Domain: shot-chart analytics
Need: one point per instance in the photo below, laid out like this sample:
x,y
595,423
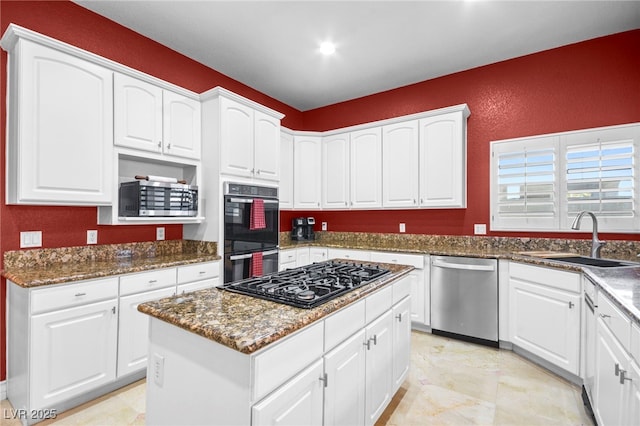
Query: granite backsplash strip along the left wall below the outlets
x,y
106,252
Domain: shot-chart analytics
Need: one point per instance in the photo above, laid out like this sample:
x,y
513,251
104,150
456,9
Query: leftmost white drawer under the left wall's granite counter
x,y
79,293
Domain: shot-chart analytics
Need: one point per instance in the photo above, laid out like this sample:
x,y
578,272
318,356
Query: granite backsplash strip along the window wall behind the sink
x,y
614,249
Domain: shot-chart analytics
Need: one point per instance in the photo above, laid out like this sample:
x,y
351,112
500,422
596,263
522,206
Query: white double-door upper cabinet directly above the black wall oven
x,y
249,141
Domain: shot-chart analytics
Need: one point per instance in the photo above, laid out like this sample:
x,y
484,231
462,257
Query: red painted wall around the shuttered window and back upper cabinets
x,y
589,84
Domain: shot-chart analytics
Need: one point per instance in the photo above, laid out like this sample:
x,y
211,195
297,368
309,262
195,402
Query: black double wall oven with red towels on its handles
x,y
251,227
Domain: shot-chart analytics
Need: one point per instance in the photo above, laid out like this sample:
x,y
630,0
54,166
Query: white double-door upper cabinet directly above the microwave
x,y
152,119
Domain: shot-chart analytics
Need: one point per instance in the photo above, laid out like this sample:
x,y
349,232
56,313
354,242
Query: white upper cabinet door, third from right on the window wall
x,y
366,168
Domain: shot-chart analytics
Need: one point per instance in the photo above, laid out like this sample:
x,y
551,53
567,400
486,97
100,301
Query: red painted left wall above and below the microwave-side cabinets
x,y
68,22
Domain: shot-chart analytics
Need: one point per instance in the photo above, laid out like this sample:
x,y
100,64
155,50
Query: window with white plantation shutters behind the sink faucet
x,y
542,183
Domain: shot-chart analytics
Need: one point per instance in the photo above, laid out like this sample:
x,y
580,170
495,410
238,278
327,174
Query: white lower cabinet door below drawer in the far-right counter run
x,y
609,393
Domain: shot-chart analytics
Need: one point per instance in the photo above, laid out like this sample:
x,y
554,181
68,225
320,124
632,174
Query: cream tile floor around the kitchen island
x,y
450,383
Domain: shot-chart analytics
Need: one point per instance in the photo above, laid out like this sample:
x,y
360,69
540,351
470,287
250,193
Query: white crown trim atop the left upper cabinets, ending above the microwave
x,y
15,32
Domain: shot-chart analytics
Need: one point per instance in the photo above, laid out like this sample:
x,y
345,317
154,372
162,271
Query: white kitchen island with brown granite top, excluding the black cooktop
x,y
218,357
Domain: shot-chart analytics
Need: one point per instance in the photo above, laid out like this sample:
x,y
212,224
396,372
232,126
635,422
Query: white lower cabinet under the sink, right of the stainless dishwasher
x,y
544,313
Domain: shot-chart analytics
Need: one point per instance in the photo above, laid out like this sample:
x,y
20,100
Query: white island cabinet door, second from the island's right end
x,y
379,366
